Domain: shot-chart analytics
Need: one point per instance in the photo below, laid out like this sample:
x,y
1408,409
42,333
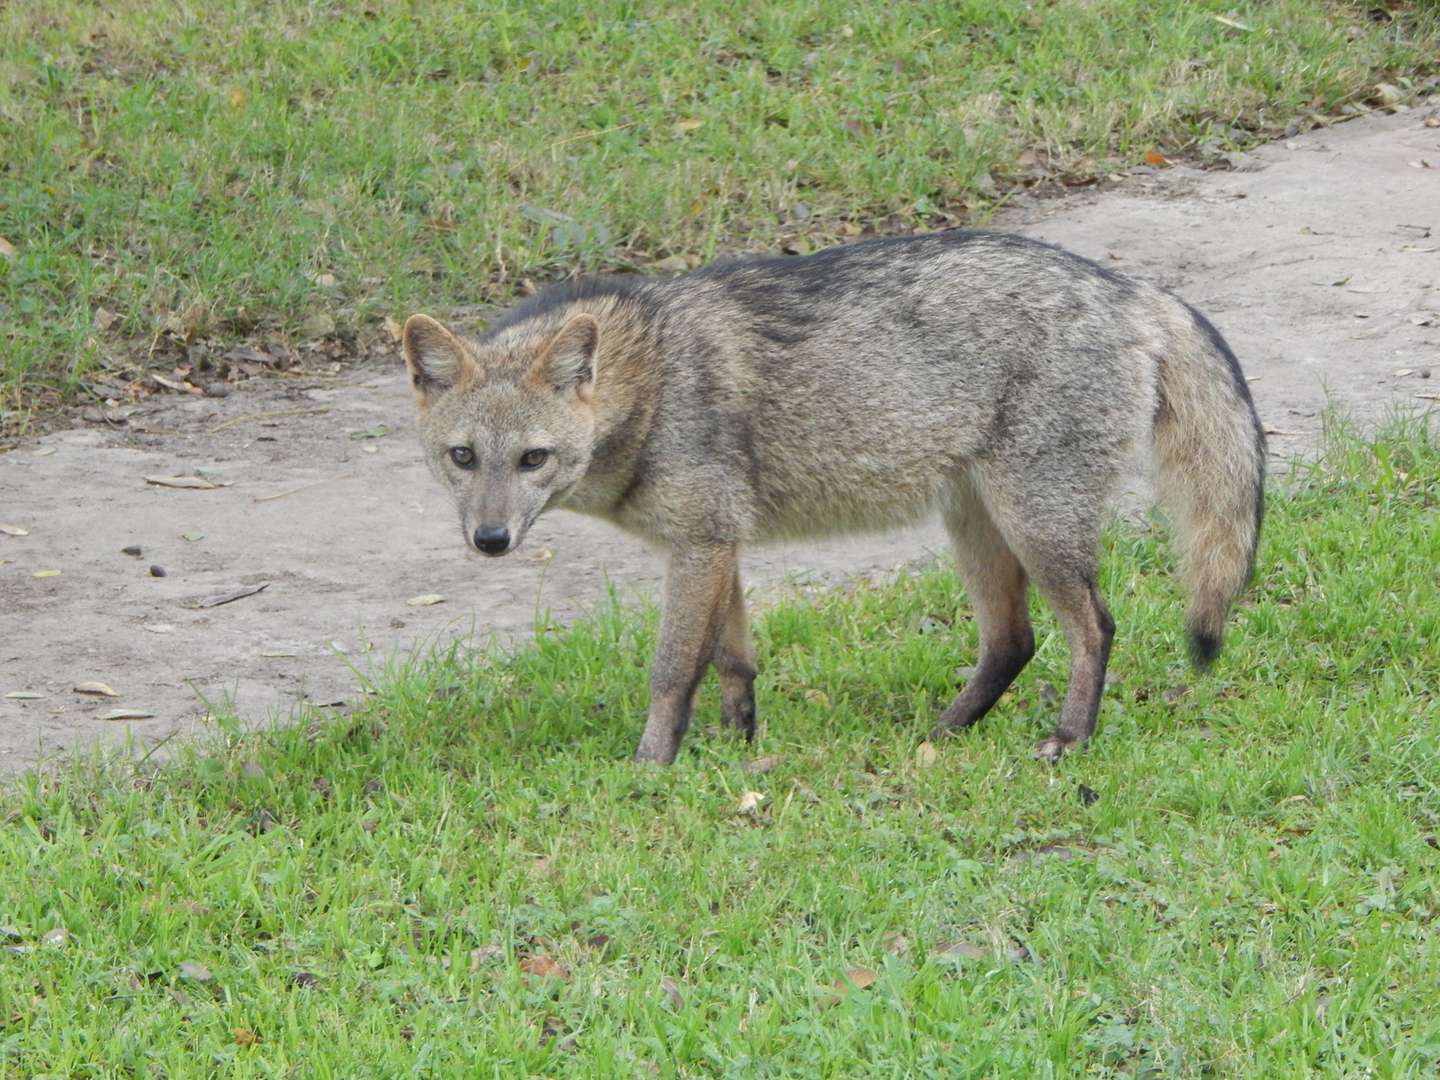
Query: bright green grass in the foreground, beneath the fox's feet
x,y
1255,891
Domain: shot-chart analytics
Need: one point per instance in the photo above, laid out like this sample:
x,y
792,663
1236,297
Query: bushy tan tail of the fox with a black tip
x,y
1210,470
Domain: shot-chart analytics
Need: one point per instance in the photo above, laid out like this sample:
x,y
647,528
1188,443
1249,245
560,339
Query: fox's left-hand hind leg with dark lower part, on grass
x,y
996,582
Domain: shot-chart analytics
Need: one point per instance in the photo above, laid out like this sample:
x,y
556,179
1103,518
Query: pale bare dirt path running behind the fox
x,y
1320,260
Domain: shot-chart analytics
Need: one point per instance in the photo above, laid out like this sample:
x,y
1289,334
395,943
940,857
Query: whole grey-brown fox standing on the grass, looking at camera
x,y
993,379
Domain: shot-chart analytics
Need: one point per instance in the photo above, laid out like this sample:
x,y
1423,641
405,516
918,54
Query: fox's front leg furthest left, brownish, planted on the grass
x,y
699,588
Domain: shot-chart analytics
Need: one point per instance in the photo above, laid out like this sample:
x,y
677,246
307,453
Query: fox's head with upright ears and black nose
x,y
508,428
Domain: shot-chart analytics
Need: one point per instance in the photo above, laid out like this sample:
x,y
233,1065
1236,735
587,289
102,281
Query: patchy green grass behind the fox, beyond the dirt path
x,y
195,175
